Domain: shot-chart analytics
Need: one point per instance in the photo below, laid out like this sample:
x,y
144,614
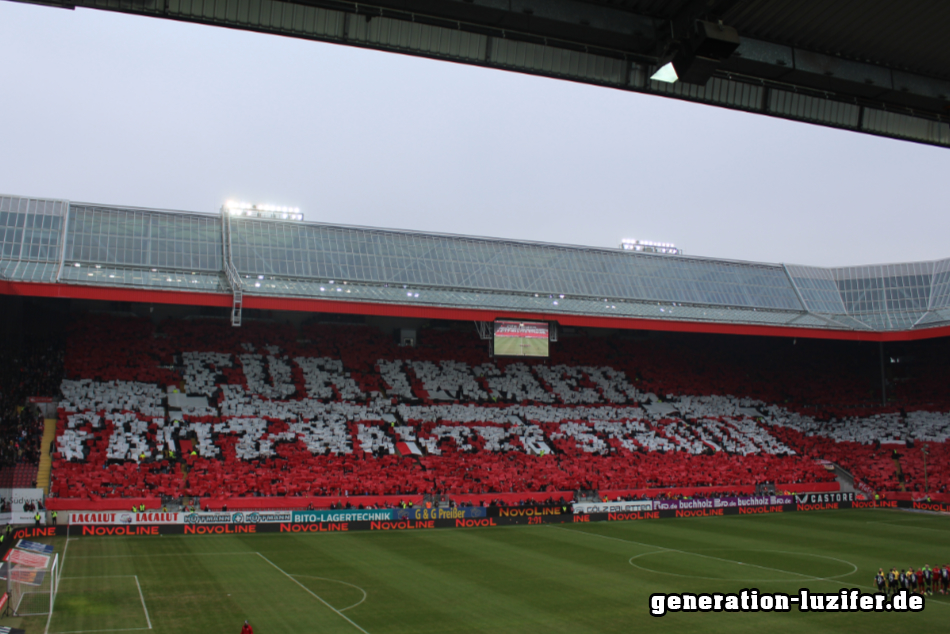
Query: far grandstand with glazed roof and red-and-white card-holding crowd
x,y
291,365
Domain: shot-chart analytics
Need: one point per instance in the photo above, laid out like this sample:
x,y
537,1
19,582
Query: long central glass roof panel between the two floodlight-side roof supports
x,y
263,248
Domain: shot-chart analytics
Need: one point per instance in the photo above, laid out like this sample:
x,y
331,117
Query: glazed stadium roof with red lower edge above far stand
x,y
63,249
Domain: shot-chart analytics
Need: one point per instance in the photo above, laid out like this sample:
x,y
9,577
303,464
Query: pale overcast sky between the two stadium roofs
x,y
109,108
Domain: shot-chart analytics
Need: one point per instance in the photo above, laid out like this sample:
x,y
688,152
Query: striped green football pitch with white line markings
x,y
571,578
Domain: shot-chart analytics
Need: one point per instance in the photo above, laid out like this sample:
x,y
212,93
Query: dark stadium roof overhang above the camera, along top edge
x,y
880,67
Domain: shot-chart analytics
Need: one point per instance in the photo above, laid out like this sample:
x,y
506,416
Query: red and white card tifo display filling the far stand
x,y
334,412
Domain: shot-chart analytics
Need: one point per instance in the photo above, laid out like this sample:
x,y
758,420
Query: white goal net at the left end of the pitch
x,y
32,581
